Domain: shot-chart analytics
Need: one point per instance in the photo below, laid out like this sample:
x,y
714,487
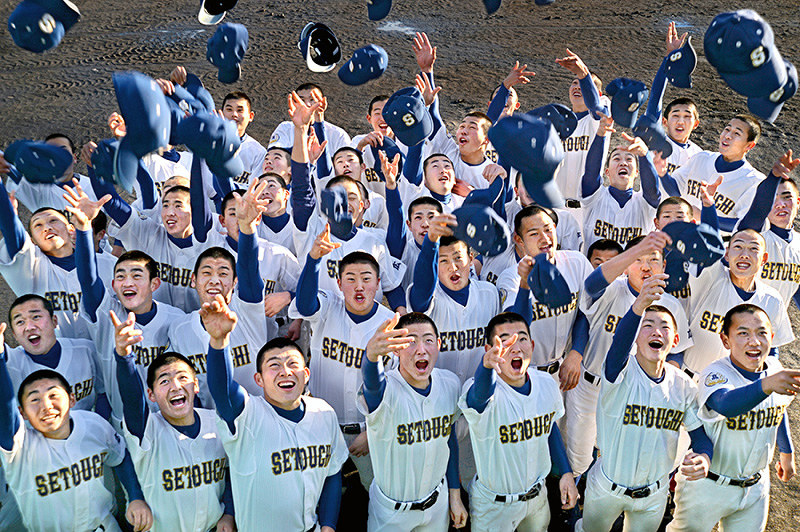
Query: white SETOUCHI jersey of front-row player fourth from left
x,y
408,434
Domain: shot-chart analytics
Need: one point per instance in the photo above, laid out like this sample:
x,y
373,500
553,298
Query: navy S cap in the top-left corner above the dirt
x,y
39,25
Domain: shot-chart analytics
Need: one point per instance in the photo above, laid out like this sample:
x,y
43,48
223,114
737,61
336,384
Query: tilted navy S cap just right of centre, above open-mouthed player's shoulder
x,y
482,228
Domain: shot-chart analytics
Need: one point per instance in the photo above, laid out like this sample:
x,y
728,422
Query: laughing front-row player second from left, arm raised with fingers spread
x,y
176,451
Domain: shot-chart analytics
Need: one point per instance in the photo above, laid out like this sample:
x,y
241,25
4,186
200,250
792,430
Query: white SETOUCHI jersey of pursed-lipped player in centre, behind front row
x,y
337,348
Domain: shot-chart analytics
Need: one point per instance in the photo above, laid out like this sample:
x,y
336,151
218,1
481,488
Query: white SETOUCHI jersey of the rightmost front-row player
x,y
743,445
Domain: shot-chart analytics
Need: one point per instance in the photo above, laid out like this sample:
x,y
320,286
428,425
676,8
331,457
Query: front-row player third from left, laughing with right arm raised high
x,y
281,444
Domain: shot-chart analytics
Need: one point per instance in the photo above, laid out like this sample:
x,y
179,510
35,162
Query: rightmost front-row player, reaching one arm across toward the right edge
x,y
743,401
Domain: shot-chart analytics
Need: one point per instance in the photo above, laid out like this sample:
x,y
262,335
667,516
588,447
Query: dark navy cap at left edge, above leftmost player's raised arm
x,y
38,161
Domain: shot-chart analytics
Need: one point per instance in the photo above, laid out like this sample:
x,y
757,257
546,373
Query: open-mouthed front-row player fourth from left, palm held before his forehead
x,y
410,412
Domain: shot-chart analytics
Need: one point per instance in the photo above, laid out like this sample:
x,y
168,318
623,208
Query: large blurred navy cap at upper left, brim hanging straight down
x,y
145,111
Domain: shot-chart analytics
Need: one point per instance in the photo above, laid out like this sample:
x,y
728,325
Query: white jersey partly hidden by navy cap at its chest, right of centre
x,y
551,327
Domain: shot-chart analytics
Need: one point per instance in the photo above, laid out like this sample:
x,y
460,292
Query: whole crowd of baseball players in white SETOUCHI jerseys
x,y
163,338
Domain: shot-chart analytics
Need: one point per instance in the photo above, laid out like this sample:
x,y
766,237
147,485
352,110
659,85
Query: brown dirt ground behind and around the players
x,y
69,89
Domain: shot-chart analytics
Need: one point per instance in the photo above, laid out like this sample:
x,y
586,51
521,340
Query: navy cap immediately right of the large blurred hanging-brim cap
x,y
215,140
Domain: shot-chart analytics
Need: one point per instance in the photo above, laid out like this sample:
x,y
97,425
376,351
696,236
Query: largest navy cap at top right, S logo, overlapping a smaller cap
x,y
741,46
